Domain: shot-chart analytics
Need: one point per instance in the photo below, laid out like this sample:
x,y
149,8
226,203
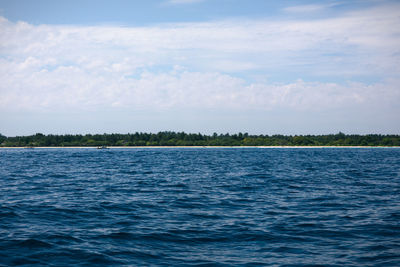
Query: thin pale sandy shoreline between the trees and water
x,y
133,147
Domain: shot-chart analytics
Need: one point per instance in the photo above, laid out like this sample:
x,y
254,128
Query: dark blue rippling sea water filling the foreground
x,y
188,206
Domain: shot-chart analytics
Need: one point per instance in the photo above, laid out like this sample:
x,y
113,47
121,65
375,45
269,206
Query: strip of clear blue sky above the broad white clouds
x,y
138,13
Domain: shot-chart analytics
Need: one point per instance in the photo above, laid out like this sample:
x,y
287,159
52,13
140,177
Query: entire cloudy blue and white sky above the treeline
x,y
225,66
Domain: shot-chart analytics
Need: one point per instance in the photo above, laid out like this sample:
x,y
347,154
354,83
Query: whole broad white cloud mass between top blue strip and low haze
x,y
62,67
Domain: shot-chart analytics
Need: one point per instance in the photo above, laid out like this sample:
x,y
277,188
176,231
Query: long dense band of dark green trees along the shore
x,y
185,139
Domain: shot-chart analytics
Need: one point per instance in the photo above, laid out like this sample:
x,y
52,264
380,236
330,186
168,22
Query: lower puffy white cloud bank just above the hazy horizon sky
x,y
73,87
